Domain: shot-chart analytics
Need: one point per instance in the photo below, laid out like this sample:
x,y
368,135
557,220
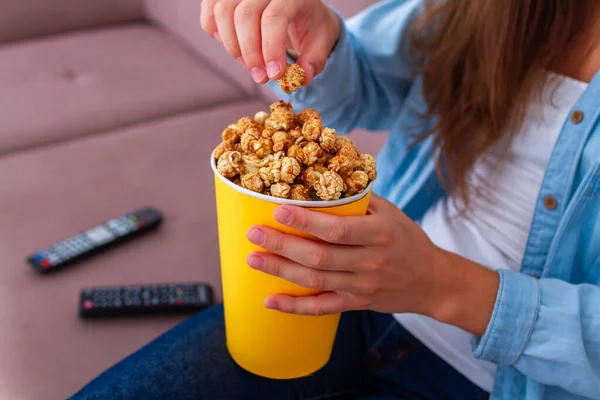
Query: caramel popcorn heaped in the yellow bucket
x,y
292,156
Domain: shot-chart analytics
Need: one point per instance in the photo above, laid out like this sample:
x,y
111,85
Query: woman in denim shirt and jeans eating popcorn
x,y
479,273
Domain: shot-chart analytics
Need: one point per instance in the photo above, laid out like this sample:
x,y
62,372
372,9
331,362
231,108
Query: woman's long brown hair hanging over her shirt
x,y
482,61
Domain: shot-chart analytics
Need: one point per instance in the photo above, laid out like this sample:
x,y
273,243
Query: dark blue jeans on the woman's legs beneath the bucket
x,y
374,357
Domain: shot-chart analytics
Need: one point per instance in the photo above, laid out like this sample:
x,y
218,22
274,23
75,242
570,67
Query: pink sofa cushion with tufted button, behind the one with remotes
x,y
58,88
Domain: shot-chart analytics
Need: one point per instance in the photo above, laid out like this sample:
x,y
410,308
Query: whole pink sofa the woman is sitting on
x,y
105,106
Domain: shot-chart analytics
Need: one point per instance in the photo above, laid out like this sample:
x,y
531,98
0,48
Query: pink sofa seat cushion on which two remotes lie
x,y
61,190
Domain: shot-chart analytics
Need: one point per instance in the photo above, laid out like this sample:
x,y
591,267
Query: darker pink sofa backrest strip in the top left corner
x,y
23,19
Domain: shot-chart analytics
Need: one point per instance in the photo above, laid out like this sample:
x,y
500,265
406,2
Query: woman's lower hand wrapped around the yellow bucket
x,y
382,261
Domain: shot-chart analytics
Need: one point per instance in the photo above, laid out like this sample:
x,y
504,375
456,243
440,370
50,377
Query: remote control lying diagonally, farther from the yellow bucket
x,y
95,239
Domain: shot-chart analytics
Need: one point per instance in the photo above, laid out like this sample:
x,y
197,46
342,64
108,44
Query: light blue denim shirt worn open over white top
x,y
544,332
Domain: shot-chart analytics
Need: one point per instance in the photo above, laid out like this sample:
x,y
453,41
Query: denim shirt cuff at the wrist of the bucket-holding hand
x,y
514,316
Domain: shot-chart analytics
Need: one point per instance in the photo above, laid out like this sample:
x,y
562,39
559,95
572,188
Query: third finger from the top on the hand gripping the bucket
x,y
299,274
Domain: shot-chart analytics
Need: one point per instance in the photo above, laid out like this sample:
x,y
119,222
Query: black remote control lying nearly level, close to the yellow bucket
x,y
144,299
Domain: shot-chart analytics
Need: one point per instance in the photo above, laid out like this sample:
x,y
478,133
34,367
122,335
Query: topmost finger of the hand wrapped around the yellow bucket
x,y
365,230
